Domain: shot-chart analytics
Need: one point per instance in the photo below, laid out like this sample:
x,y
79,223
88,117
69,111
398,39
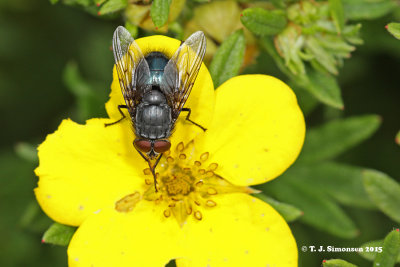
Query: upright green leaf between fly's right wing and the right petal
x,y
228,58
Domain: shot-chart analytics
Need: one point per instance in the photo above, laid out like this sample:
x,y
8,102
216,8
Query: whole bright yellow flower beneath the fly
x,y
92,177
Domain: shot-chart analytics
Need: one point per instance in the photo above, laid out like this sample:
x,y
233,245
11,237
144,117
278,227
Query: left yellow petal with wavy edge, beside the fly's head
x,y
86,167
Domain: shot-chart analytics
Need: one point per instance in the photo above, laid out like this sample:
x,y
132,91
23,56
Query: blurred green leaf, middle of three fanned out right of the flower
x,y
342,182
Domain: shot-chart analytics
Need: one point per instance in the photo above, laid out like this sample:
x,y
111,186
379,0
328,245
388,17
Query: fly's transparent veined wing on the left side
x,y
133,70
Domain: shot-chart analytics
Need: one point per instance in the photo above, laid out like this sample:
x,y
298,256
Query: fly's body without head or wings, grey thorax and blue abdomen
x,y
153,115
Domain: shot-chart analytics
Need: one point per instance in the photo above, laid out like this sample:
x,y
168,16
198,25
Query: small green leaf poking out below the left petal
x,y
59,234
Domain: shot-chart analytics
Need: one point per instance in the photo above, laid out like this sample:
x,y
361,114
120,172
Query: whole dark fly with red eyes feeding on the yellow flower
x,y
155,89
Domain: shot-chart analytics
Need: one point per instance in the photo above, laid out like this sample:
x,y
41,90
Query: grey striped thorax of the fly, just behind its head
x,y
153,121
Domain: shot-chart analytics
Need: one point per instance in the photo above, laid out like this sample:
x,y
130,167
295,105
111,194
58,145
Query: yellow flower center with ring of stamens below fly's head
x,y
186,184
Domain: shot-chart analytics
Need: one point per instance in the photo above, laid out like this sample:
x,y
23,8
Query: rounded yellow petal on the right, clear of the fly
x,y
257,131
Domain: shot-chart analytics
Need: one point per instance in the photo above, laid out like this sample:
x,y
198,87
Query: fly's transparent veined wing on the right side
x,y
181,71
